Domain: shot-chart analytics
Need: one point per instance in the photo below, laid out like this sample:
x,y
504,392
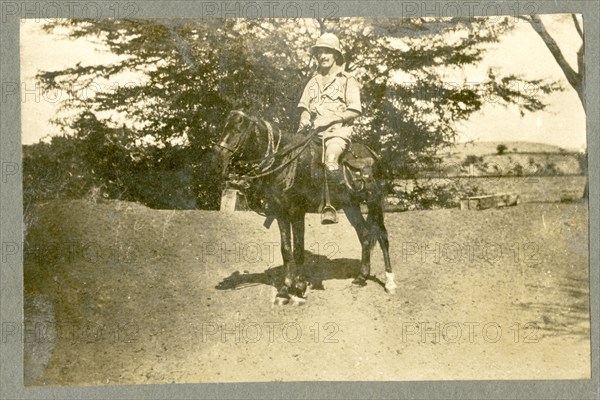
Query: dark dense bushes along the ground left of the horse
x,y
96,164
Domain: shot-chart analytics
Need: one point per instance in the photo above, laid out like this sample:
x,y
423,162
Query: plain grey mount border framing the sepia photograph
x,y
11,207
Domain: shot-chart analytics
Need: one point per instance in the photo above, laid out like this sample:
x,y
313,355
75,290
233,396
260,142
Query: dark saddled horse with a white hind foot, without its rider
x,y
281,174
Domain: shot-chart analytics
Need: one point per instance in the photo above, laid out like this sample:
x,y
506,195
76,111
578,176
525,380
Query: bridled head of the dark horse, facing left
x,y
238,129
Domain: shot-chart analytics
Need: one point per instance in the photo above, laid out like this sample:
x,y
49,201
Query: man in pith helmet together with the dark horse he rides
x,y
284,176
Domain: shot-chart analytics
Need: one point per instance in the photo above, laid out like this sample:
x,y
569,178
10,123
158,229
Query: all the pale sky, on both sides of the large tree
x,y
520,52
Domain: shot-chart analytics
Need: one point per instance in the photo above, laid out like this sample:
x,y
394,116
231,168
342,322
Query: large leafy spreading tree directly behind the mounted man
x,y
193,72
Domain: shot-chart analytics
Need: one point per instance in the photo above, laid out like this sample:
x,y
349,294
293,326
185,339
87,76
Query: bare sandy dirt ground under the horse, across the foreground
x,y
117,293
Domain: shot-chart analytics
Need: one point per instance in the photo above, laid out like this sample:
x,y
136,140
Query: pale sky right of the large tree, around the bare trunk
x,y
524,52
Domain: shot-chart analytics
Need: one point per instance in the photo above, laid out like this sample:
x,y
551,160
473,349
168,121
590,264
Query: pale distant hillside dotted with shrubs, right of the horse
x,y
519,158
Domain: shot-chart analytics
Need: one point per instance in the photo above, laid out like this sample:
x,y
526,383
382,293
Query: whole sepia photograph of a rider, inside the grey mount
x,y
220,200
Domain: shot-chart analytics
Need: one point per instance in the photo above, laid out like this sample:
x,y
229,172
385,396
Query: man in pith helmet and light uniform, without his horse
x,y
330,102
